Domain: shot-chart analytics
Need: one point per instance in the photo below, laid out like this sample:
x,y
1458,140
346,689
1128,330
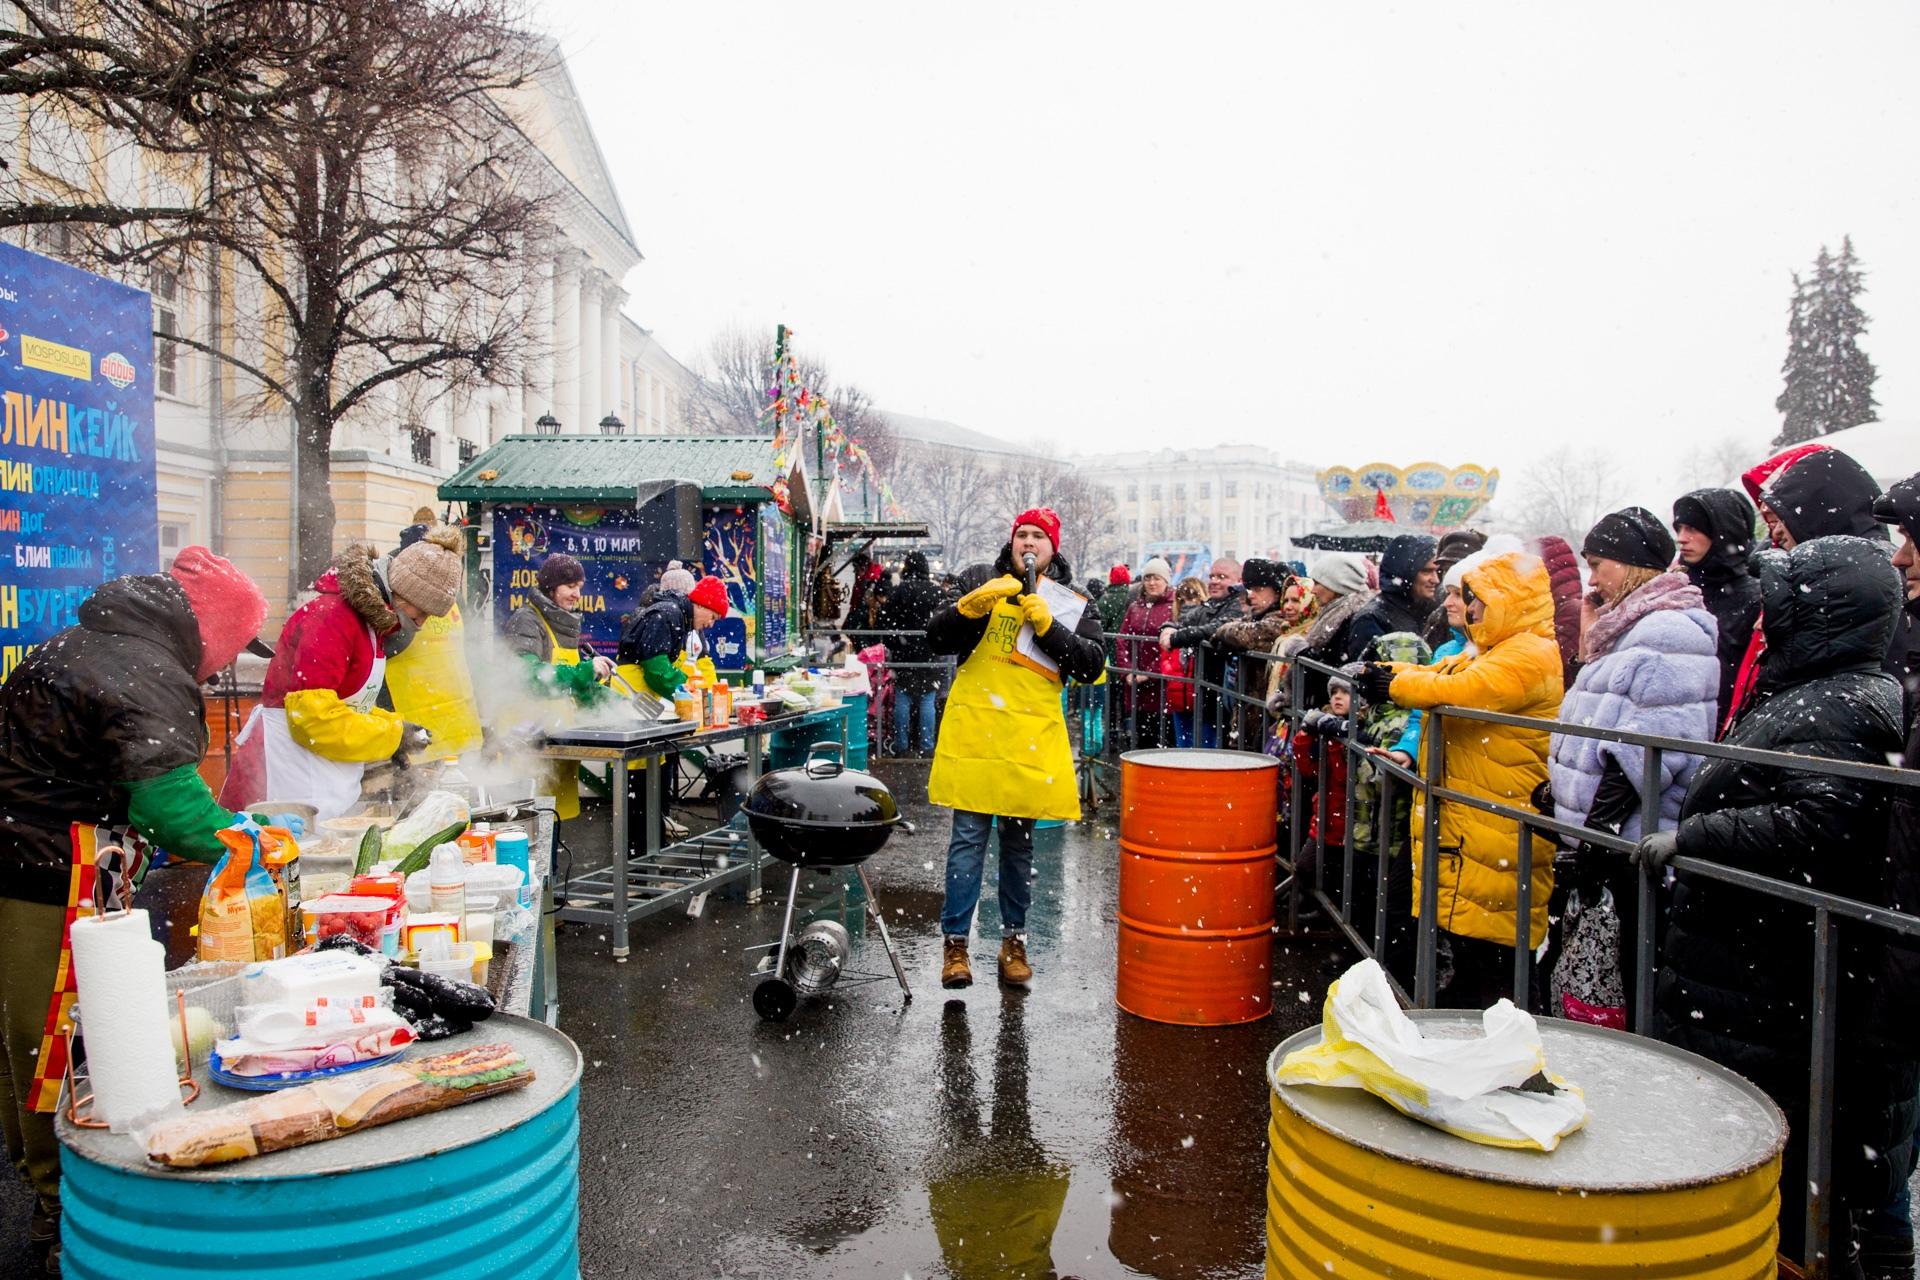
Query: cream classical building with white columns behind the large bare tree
x,y
224,473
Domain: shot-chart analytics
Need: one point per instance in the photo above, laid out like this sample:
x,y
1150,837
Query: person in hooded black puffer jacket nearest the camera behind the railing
x,y
1737,976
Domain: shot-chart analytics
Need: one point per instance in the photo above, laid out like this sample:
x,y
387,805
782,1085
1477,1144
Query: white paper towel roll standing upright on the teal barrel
x,y
122,978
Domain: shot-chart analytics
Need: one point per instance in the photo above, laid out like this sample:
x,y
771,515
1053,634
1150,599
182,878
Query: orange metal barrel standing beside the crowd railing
x,y
1197,841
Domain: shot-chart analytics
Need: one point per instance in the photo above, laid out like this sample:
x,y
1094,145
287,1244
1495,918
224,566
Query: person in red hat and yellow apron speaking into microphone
x,y
1003,755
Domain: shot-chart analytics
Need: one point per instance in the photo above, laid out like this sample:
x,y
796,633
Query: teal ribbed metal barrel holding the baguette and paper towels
x,y
491,1189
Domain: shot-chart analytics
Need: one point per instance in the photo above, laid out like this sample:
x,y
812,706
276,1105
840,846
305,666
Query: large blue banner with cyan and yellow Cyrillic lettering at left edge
x,y
76,444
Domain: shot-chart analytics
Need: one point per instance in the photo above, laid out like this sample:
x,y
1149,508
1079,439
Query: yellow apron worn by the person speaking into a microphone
x,y
1003,744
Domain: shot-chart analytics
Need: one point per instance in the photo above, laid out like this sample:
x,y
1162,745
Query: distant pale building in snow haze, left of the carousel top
x,y
1237,500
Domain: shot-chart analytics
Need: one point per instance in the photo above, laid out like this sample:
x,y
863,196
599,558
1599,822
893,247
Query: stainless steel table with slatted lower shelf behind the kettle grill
x,y
656,880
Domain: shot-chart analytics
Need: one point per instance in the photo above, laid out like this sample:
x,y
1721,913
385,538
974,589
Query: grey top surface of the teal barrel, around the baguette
x,y
554,1058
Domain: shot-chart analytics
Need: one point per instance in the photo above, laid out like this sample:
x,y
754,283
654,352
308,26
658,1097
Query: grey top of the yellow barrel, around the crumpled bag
x,y
1660,1118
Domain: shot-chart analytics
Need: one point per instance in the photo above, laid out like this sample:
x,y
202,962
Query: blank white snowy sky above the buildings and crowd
x,y
1347,231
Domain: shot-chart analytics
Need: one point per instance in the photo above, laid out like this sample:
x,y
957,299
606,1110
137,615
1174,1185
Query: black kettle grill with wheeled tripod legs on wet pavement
x,y
819,817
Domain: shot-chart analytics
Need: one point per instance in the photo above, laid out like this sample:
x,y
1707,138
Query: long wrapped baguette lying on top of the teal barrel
x,y
337,1108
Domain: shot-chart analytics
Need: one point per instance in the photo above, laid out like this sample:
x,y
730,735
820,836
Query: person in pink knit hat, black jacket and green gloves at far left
x,y
103,730
